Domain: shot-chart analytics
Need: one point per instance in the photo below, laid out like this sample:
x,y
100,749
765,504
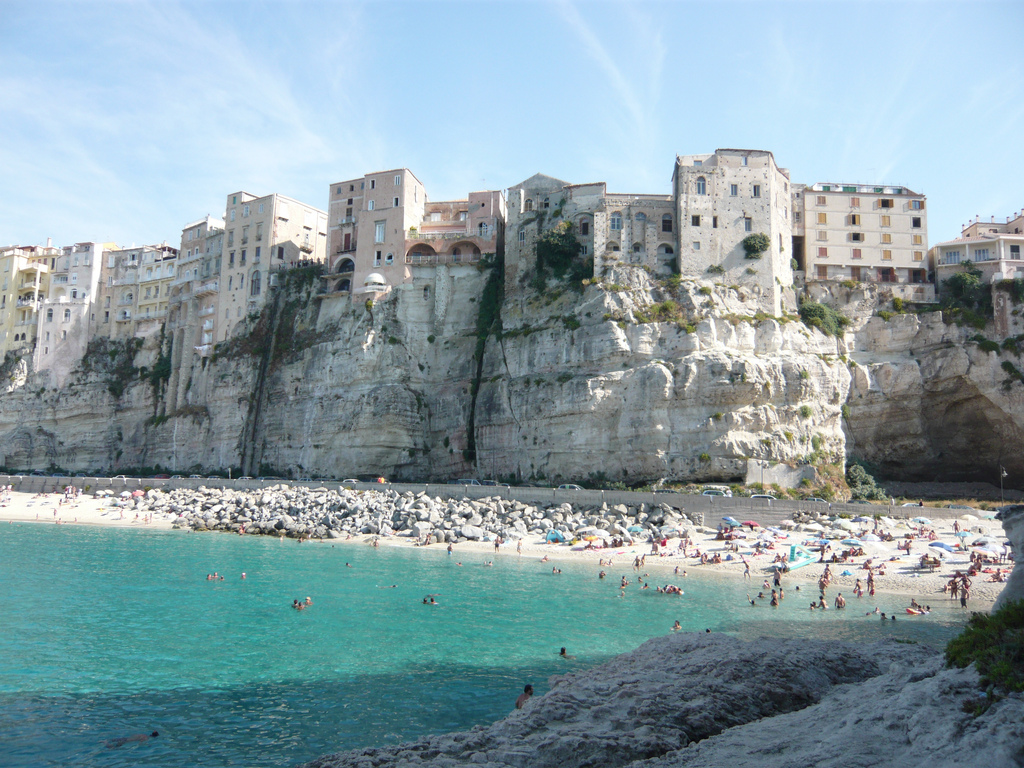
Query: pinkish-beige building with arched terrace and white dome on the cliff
x,y
382,225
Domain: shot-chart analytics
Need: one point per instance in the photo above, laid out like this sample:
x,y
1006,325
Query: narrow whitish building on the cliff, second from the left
x,y
68,314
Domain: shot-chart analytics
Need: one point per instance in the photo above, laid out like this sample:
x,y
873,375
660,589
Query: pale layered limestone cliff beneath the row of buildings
x,y
629,379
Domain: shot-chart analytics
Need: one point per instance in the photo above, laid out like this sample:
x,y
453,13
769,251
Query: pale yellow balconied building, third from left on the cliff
x,y
135,291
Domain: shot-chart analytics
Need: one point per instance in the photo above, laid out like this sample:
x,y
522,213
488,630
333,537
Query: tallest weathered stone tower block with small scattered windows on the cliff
x,y
721,200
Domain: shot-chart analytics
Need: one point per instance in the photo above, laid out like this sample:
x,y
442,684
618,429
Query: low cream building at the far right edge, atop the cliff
x,y
995,247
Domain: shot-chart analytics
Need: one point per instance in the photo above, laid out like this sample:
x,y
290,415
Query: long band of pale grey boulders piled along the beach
x,y
283,510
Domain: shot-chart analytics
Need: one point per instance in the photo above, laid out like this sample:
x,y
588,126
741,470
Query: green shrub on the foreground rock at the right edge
x,y
995,645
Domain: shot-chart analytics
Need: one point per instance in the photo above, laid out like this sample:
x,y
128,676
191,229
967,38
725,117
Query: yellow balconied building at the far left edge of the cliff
x,y
25,277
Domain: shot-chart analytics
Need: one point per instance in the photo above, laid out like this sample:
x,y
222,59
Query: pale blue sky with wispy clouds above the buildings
x,y
124,121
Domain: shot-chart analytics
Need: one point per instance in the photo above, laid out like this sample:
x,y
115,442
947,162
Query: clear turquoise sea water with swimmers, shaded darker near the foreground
x,y
109,633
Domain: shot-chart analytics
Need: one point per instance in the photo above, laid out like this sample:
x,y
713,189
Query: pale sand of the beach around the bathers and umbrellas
x,y
903,574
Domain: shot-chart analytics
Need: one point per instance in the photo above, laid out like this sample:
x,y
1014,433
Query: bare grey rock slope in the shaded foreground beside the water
x,y
697,700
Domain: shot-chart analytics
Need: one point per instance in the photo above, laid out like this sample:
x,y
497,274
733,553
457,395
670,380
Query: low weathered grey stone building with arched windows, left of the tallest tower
x,y
612,229
